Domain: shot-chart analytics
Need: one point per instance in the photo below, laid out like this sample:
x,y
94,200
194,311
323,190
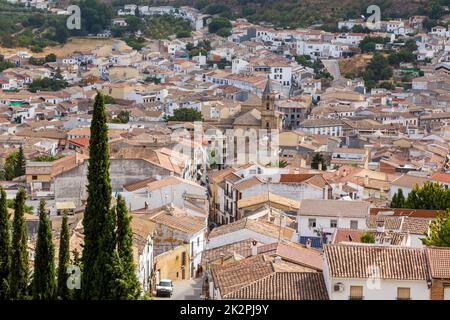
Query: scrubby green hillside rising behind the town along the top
x,y
298,13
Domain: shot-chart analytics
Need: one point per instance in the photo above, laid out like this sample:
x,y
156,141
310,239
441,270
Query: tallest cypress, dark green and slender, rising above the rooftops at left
x,y
98,208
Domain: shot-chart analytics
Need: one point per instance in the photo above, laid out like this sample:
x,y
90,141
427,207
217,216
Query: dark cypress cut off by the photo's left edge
x,y
5,246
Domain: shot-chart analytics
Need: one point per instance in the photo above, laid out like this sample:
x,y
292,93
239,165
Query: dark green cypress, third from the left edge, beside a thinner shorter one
x,y
44,276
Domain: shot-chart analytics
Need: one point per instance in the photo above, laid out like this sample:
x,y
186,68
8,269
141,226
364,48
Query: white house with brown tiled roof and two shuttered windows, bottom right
x,y
375,273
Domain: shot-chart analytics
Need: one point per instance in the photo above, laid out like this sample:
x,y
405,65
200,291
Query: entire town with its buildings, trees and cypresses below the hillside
x,y
202,156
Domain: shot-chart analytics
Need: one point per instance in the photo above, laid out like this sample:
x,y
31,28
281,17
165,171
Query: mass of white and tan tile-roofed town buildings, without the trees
x,y
240,166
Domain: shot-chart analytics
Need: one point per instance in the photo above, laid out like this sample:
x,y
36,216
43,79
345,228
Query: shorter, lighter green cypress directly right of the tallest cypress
x,y
124,260
